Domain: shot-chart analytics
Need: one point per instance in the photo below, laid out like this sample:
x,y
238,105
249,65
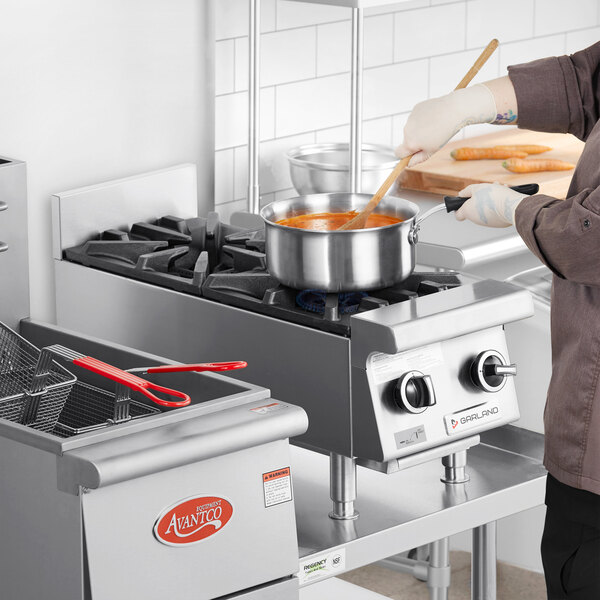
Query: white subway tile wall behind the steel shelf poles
x,y
413,51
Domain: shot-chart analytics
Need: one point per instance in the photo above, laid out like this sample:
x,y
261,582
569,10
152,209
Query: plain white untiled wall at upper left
x,y
97,89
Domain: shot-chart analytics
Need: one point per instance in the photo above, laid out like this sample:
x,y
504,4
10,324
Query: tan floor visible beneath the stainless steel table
x,y
513,583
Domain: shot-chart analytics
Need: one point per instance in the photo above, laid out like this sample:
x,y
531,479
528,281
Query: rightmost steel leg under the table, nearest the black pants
x,y
483,567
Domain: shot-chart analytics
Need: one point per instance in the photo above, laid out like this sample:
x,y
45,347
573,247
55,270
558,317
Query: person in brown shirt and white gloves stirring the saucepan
x,y
556,94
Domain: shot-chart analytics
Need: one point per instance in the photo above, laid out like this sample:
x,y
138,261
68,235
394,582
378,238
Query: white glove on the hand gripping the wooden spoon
x,y
433,122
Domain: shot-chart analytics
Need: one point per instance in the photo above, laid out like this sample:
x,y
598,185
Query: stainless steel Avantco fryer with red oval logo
x,y
192,503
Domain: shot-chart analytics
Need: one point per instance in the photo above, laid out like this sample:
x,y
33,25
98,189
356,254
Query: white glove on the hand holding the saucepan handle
x,y
490,204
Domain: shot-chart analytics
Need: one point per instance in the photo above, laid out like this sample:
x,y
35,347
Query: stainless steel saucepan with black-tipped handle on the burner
x,y
344,261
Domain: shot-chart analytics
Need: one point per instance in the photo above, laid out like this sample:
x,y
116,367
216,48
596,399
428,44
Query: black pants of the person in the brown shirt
x,y
571,543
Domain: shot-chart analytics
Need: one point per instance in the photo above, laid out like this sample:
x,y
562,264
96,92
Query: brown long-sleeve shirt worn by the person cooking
x,y
562,94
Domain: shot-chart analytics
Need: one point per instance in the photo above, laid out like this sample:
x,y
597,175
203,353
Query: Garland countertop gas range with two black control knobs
x,y
389,378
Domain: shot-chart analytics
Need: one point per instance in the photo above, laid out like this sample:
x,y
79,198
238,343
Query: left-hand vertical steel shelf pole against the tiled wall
x,y
254,107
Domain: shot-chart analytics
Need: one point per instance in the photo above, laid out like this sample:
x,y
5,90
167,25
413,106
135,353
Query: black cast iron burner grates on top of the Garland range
x,y
227,264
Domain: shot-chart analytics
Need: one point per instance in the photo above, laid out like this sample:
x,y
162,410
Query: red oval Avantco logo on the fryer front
x,y
192,520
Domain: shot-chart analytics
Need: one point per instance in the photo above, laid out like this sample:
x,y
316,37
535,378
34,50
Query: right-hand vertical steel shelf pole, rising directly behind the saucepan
x,y
356,101
